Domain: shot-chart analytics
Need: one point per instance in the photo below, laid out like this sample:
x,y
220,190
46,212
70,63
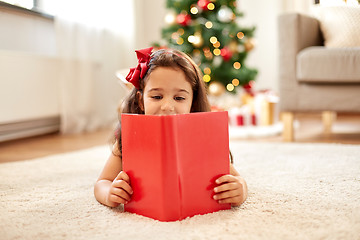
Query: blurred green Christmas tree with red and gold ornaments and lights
x,y
209,32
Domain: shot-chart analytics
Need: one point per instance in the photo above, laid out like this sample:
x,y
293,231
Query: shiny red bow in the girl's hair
x,y
139,72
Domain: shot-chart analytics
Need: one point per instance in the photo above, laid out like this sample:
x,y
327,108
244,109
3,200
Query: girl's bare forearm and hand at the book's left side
x,y
113,185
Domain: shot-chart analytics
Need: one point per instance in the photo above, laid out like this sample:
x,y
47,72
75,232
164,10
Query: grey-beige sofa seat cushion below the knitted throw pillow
x,y
329,65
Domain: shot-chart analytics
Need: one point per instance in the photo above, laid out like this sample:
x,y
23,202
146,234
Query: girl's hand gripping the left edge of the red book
x,y
120,190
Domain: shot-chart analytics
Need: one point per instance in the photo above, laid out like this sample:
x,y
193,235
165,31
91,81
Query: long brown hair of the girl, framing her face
x,y
173,59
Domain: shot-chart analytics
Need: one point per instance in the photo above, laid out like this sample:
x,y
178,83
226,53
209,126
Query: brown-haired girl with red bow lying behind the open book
x,y
166,82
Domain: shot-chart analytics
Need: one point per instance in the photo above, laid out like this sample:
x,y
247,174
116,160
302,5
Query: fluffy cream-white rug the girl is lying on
x,y
296,191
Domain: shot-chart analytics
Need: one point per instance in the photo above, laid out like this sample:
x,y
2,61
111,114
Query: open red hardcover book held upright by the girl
x,y
173,162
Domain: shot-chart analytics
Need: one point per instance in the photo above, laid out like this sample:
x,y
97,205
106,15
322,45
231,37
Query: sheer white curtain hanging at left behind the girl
x,y
94,39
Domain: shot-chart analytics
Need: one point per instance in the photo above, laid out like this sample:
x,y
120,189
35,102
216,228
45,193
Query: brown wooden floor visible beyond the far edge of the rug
x,y
346,130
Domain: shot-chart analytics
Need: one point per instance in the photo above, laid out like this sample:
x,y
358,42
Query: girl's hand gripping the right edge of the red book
x,y
231,189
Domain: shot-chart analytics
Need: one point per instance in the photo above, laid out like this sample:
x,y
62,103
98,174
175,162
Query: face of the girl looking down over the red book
x,y
167,92
